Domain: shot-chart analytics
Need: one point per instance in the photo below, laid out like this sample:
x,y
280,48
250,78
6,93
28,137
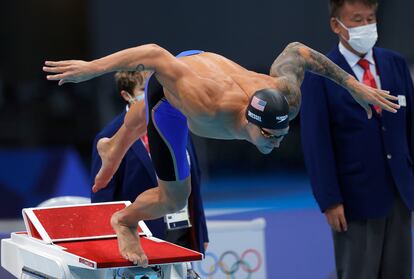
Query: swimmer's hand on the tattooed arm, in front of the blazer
x,y
366,95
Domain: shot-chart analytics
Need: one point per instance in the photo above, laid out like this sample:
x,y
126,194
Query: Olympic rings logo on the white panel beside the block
x,y
230,263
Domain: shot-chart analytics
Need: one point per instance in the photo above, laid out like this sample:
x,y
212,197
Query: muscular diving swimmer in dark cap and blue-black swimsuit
x,y
213,97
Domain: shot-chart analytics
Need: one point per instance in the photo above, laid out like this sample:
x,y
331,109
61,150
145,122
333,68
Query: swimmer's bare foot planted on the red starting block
x,y
128,242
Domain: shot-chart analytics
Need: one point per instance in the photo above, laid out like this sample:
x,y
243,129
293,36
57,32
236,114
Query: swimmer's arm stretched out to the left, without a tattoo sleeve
x,y
146,57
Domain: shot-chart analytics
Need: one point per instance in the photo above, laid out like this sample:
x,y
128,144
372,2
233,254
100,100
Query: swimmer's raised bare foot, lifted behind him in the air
x,y
110,163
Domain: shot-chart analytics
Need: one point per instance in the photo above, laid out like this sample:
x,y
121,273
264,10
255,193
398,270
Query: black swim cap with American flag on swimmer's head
x,y
269,109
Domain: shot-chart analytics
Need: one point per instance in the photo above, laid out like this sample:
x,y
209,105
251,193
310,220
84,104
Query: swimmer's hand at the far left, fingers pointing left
x,y
70,71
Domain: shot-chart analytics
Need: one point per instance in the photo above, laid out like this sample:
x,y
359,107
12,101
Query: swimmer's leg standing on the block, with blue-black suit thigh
x,y
167,135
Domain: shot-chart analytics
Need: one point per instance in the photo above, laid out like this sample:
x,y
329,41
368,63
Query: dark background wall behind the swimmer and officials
x,y
34,112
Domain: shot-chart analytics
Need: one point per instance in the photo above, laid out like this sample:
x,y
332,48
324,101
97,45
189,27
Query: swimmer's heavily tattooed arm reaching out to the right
x,y
297,58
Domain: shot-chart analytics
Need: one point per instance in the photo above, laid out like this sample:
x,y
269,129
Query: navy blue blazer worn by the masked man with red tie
x,y
346,154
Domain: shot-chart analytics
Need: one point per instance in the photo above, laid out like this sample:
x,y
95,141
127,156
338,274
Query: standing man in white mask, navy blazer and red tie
x,y
361,169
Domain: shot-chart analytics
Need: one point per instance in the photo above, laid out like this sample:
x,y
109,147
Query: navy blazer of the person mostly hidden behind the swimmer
x,y
136,174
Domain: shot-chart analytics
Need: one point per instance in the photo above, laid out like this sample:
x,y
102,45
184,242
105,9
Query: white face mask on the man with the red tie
x,y
362,38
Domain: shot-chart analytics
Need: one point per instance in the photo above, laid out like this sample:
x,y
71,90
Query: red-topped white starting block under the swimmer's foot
x,y
78,241
